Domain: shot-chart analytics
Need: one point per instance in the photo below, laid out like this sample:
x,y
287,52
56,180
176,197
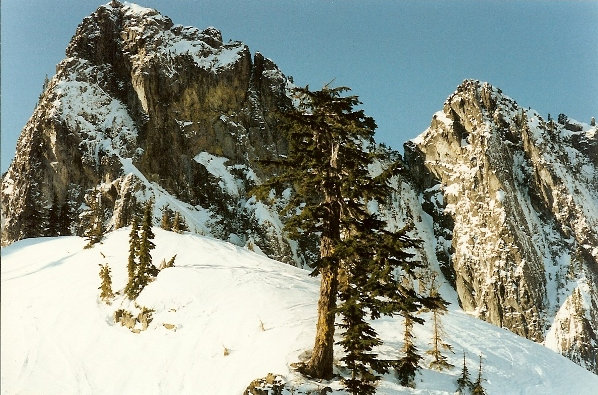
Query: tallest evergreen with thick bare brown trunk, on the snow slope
x,y
325,167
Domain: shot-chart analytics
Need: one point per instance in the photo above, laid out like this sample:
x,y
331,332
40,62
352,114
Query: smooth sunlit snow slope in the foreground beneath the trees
x,y
59,338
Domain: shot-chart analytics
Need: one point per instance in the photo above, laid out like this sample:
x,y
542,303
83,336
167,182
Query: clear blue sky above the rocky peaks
x,y
403,58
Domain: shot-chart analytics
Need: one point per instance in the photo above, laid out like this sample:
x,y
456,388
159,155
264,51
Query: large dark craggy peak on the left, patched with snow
x,y
142,107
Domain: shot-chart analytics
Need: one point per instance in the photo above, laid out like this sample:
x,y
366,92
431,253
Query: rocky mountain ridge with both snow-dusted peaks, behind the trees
x,y
505,202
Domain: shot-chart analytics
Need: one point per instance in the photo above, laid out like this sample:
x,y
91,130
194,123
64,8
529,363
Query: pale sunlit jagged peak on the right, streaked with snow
x,y
515,206
